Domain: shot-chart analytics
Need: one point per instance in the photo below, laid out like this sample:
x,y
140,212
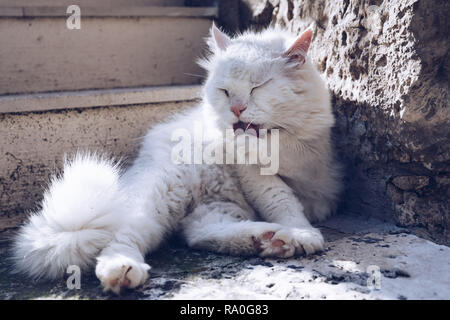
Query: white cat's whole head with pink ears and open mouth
x,y
265,80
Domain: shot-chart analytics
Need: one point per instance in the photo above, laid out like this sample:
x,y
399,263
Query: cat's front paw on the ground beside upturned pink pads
x,y
305,241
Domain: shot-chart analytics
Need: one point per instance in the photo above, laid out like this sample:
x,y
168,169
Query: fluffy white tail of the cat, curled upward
x,y
78,217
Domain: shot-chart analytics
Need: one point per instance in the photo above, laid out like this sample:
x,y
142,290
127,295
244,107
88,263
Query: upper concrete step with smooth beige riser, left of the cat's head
x,y
116,47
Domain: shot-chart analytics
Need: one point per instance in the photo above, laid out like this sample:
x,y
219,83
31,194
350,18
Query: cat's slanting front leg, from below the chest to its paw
x,y
277,203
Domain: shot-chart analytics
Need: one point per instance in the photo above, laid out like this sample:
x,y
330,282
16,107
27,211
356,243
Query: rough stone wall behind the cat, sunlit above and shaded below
x,y
387,65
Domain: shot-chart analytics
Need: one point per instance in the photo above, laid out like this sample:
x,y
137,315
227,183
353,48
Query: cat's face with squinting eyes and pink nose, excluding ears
x,y
240,89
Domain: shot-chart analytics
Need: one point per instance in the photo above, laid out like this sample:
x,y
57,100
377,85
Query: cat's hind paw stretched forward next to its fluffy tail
x,y
118,272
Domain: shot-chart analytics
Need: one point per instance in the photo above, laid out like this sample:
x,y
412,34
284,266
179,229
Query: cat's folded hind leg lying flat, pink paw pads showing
x,y
224,227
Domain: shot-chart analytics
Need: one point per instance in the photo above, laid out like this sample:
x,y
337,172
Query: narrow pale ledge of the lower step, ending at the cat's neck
x,y
97,98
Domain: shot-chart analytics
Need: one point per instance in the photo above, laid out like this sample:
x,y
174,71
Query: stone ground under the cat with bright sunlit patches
x,y
354,247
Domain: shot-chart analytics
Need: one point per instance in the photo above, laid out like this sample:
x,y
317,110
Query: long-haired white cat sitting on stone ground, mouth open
x,y
95,212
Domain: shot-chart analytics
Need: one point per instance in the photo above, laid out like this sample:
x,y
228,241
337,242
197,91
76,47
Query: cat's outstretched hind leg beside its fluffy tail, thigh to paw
x,y
153,211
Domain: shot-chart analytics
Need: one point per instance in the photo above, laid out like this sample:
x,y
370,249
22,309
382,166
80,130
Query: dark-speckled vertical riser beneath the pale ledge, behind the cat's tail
x,y
32,146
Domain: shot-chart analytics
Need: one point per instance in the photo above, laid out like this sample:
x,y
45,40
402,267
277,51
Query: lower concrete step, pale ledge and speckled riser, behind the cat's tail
x,y
33,143
